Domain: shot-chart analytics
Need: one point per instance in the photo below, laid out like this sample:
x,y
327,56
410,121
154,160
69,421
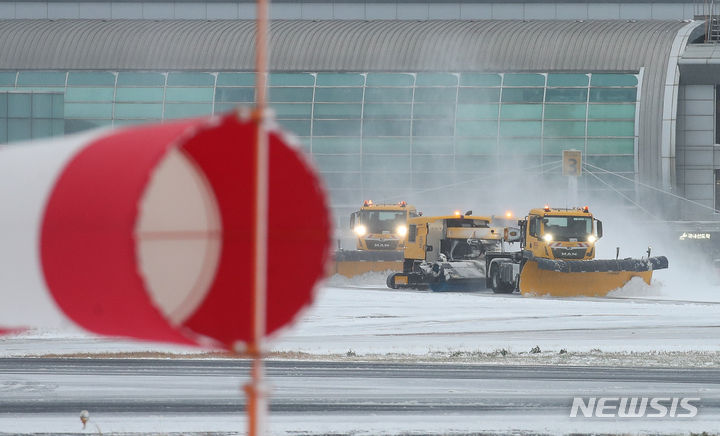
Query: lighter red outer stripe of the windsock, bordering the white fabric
x,y
88,250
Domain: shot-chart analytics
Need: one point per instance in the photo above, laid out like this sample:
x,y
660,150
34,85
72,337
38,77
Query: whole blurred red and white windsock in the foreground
x,y
147,232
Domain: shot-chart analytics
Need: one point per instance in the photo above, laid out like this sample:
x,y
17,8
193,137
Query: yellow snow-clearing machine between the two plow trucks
x,y
446,253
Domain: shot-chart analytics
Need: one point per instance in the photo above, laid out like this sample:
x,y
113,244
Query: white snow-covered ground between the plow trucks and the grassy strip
x,y
361,317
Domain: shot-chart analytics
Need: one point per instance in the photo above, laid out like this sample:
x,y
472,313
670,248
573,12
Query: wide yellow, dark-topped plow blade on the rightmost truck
x,y
592,278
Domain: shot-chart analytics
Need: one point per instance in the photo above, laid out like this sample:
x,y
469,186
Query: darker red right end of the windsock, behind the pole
x,y
298,231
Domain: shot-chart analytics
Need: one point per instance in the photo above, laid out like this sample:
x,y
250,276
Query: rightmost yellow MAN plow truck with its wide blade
x,y
557,257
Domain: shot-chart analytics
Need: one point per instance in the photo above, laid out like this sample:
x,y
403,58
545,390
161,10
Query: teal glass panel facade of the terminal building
x,y
372,135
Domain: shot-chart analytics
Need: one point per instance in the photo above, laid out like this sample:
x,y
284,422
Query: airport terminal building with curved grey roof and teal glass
x,y
399,100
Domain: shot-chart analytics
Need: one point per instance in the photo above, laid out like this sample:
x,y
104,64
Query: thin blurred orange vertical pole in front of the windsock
x,y
257,406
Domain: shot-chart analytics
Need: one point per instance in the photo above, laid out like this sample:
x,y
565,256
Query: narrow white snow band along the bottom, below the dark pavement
x,y
357,425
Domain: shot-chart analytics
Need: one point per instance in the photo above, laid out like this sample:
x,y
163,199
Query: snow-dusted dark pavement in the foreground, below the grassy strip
x,y
161,396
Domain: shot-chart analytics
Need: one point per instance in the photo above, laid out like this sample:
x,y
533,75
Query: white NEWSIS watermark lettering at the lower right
x,y
634,407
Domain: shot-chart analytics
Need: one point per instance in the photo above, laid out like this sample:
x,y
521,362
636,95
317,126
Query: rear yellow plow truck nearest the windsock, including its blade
x,y
381,231
